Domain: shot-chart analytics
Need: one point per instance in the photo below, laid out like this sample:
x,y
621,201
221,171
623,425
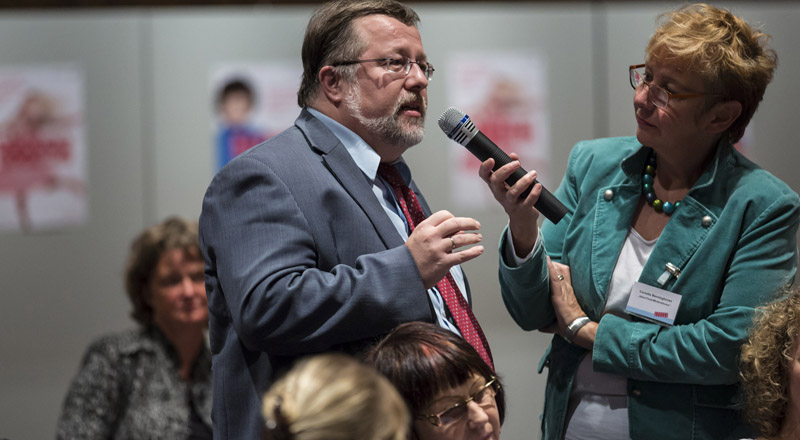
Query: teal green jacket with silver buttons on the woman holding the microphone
x,y
733,239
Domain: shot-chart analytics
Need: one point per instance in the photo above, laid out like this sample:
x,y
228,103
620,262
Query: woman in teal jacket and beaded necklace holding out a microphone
x,y
673,238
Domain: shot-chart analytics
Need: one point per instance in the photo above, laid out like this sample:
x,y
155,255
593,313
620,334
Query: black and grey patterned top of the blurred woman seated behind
x,y
129,387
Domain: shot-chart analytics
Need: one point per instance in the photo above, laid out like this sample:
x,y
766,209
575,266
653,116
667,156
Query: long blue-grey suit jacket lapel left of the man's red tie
x,y
336,159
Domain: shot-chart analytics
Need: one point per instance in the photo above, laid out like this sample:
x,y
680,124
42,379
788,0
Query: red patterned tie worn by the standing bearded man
x,y
458,306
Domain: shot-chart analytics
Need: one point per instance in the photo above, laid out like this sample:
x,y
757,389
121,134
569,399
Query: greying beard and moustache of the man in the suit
x,y
389,128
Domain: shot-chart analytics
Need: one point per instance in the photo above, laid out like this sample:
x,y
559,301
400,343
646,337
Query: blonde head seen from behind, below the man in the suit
x,y
334,397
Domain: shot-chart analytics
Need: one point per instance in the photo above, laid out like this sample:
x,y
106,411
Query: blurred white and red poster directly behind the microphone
x,y
505,95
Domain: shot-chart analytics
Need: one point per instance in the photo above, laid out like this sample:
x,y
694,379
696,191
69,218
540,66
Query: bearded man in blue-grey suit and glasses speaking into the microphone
x,y
306,247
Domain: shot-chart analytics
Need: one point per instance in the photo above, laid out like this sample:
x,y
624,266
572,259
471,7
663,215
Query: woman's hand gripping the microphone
x,y
522,216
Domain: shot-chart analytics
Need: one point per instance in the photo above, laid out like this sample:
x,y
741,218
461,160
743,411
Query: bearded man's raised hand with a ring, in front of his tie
x,y
434,244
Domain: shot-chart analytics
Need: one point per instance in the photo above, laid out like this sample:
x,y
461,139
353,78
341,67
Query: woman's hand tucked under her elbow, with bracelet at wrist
x,y
566,305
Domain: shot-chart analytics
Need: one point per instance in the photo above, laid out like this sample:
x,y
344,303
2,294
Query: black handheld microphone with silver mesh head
x,y
459,127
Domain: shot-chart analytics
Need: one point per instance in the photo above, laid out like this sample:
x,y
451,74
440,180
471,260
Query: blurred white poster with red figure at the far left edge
x,y
43,172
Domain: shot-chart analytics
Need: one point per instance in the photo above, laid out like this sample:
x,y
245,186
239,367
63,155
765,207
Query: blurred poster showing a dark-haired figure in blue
x,y
252,102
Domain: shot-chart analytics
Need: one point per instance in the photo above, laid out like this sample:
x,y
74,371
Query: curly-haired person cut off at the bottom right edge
x,y
770,370
